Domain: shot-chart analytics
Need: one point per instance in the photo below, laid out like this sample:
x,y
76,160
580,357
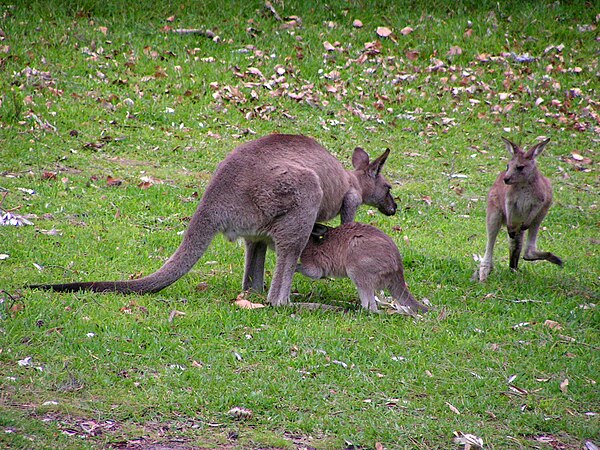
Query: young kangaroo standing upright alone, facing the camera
x,y
519,198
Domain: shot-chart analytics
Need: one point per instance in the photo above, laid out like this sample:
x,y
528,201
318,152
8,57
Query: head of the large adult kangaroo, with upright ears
x,y
376,190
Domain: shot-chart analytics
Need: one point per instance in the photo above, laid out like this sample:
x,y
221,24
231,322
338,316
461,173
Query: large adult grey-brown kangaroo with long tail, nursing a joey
x,y
270,192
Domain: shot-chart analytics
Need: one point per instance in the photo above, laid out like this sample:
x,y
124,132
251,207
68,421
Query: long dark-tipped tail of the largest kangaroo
x,y
196,239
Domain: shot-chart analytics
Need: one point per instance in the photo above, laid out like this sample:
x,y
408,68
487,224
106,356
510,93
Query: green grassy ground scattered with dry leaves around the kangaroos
x,y
111,124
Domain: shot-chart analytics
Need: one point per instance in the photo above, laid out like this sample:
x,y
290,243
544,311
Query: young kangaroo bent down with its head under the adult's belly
x,y
363,253
